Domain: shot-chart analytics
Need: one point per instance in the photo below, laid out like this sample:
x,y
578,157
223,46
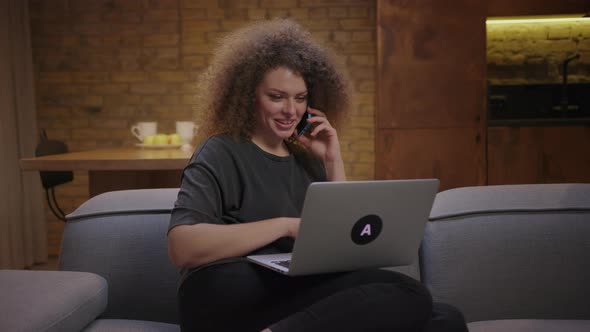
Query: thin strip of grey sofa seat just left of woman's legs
x,y
128,325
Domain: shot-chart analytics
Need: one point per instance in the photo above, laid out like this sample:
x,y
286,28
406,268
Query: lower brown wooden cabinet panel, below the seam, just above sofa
x,y
456,156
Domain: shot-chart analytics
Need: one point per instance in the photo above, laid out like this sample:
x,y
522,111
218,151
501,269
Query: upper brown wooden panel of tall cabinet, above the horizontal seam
x,y
432,64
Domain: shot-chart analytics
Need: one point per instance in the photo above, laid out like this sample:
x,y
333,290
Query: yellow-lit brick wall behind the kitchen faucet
x,y
534,52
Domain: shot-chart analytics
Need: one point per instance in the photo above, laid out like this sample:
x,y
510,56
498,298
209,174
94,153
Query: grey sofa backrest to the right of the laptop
x,y
515,251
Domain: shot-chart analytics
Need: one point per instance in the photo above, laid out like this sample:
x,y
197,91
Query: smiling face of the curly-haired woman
x,y
281,100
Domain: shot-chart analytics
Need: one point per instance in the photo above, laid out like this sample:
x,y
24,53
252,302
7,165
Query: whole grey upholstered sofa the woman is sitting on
x,y
512,258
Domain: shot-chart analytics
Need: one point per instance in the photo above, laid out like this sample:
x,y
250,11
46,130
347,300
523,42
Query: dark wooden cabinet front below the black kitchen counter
x,y
519,155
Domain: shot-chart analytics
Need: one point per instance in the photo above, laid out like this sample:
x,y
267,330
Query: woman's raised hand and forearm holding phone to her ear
x,y
322,141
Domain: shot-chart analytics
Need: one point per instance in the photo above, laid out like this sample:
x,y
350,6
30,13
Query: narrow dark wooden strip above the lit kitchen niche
x,y
536,7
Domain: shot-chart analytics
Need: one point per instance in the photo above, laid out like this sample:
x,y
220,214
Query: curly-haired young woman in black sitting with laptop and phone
x,y
243,191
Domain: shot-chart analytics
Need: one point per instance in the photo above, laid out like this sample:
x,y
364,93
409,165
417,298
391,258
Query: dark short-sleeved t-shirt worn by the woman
x,y
230,181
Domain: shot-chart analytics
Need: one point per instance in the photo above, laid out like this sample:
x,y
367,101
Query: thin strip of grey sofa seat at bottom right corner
x,y
530,325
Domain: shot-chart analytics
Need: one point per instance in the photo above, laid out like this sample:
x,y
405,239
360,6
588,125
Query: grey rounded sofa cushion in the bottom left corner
x,y
50,300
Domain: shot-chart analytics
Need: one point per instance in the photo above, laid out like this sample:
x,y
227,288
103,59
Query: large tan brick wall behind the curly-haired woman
x,y
102,65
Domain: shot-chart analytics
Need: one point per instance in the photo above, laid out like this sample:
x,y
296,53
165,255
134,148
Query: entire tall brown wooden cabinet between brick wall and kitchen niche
x,y
431,91
